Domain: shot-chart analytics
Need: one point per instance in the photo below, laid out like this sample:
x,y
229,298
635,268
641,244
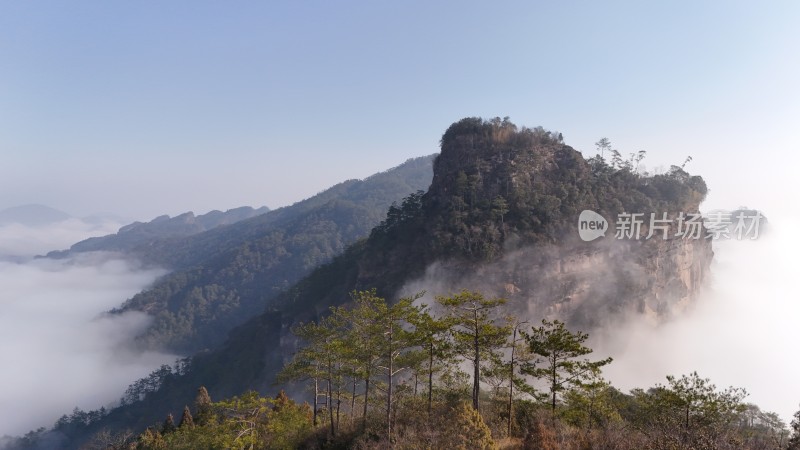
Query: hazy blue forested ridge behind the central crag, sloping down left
x,y
227,275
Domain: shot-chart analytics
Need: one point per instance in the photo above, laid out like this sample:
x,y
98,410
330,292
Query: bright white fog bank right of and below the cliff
x,y
742,331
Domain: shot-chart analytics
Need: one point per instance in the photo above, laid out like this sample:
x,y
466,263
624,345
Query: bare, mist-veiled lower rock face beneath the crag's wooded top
x,y
588,286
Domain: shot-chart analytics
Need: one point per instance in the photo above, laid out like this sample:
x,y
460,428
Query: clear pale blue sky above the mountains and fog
x,y
145,108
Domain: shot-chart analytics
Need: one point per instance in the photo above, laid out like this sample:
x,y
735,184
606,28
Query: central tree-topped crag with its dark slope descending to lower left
x,y
501,215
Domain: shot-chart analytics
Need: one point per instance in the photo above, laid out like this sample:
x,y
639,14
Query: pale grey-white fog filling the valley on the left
x,y
59,350
